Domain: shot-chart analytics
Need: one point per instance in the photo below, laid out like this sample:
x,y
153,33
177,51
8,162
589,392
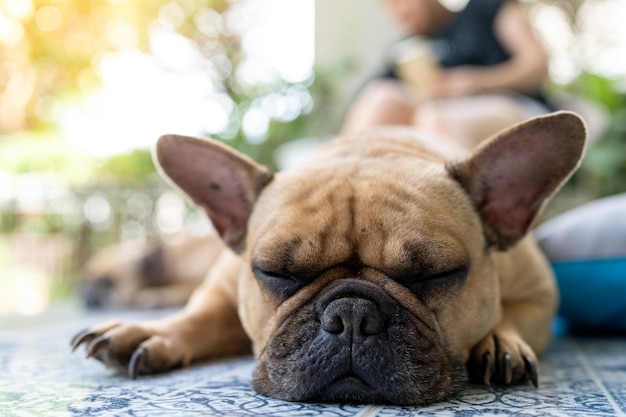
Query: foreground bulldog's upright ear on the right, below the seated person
x,y
512,175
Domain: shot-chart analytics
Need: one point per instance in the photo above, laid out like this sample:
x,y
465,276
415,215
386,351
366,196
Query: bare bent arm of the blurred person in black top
x,y
524,72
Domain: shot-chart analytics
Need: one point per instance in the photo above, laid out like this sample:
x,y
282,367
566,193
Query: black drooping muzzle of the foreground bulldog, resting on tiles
x,y
354,342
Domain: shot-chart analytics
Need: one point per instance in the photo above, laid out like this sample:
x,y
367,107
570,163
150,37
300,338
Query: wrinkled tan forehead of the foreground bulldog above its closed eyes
x,y
361,216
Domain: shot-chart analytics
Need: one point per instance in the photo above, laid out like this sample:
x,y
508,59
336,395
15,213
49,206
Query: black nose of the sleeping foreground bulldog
x,y
352,319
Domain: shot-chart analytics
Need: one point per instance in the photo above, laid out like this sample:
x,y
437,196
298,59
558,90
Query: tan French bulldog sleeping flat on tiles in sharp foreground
x,y
384,270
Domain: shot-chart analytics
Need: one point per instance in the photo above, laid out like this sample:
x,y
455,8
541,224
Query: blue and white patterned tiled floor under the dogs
x,y
40,377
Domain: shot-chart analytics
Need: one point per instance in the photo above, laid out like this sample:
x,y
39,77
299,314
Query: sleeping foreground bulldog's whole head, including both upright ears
x,y
368,275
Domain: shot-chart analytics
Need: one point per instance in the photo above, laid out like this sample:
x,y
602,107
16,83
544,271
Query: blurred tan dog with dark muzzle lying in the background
x,y
162,275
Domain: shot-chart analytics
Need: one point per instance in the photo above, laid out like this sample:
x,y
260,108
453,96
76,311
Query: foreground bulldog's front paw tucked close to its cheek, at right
x,y
502,358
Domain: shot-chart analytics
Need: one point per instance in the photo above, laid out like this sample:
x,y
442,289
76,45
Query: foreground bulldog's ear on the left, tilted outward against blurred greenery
x,y
225,183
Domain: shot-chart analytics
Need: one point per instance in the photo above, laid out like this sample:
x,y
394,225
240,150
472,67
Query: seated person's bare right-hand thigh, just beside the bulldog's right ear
x,y
470,120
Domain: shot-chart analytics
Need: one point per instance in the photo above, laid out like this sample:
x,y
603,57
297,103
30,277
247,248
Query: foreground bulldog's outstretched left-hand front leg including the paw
x,y
208,327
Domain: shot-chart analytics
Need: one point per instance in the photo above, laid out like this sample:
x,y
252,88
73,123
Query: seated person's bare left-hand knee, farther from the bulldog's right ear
x,y
381,103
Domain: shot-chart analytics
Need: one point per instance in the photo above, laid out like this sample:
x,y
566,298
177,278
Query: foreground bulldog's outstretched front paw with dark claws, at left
x,y
135,348
